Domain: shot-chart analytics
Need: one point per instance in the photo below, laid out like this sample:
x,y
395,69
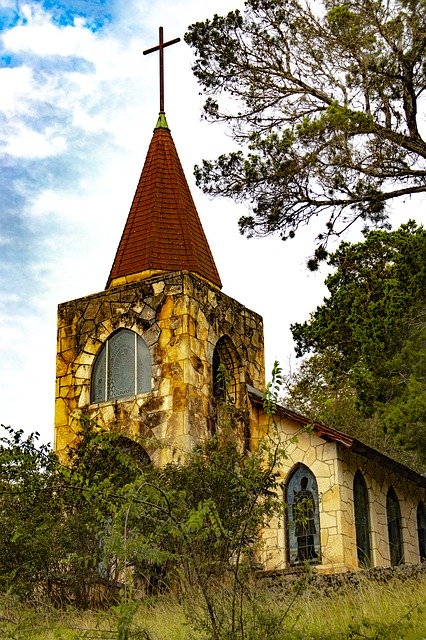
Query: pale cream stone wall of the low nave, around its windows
x,y
334,467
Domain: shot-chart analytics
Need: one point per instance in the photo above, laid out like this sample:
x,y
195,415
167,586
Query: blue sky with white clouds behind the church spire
x,y
78,103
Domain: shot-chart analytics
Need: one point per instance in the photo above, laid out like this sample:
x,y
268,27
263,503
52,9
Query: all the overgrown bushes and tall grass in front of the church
x,y
162,553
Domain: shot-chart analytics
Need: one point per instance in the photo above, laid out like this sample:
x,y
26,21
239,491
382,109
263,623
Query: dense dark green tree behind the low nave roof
x,y
369,336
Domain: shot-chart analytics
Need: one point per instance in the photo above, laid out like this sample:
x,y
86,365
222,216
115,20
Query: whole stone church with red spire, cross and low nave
x,y
143,358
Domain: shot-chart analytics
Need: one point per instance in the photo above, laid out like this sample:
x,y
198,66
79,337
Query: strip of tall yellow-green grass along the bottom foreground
x,y
392,611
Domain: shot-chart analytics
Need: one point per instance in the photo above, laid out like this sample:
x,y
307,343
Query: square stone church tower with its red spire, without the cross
x,y
146,357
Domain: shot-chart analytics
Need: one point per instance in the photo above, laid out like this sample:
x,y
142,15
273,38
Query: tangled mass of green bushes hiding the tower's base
x,y
108,525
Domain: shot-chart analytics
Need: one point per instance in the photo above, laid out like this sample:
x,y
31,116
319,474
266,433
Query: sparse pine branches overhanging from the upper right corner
x,y
328,100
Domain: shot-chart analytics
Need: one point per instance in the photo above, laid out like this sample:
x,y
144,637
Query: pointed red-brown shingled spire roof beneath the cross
x,y
163,230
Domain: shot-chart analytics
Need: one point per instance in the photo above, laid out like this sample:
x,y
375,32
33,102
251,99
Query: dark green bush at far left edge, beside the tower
x,y
28,511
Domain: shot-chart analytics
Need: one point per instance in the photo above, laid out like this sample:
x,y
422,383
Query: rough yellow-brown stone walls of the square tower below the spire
x,y
180,317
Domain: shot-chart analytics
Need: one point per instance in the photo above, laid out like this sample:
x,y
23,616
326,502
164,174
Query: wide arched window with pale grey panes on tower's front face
x,y
122,368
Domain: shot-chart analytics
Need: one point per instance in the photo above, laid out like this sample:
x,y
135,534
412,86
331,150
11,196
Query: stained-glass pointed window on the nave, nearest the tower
x,y
303,526
